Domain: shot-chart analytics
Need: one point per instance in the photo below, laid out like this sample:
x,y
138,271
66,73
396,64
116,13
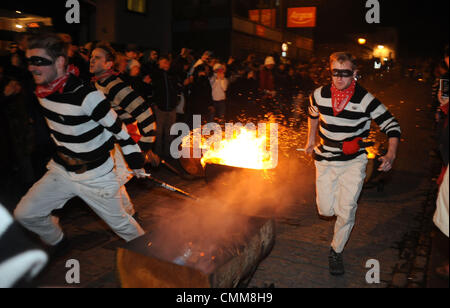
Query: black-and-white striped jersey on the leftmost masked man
x,y
84,126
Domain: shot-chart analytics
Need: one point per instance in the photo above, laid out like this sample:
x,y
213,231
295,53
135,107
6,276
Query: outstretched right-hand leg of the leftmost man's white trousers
x,y
104,197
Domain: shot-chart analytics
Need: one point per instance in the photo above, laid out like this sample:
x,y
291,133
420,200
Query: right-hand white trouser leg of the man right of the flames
x,y
351,181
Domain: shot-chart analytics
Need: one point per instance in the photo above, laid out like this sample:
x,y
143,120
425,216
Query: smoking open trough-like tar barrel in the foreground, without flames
x,y
147,263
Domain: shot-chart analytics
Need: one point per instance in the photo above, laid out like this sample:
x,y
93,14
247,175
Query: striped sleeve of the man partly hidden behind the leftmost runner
x,y
135,107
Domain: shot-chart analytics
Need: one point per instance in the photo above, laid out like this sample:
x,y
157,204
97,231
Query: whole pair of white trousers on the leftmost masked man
x,y
102,194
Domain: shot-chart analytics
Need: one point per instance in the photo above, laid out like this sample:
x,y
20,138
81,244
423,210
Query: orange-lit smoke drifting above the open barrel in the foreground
x,y
219,222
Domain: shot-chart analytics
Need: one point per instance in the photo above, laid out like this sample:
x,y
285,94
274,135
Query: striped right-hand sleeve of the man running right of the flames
x,y
384,119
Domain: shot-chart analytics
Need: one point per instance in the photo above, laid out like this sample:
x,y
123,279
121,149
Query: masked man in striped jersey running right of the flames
x,y
341,113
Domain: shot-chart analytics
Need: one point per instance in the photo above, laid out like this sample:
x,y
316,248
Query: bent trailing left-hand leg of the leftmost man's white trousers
x,y
34,210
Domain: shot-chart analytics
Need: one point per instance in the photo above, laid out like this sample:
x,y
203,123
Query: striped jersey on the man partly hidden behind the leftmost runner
x,y
131,108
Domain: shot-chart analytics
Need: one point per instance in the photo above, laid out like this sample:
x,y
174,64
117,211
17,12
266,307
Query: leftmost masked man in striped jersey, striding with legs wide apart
x,y
84,129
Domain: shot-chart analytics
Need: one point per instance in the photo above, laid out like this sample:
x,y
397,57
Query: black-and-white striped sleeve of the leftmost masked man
x,y
99,109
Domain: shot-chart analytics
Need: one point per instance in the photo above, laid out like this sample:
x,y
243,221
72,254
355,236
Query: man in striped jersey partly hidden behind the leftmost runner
x,y
132,109
